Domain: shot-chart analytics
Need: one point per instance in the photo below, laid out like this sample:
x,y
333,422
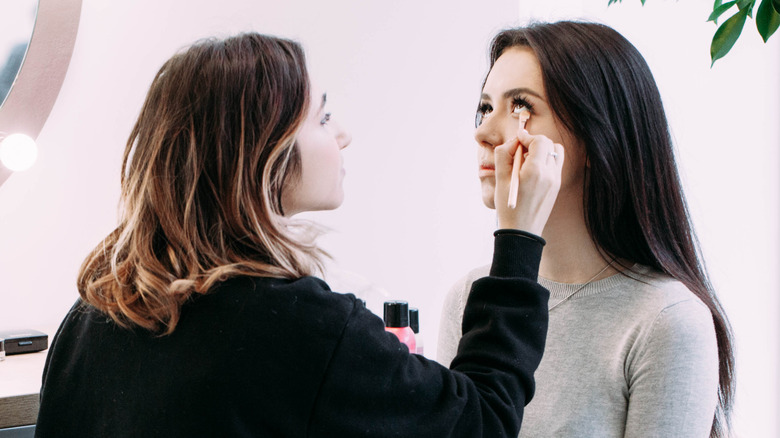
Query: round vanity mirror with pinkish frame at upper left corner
x,y
42,58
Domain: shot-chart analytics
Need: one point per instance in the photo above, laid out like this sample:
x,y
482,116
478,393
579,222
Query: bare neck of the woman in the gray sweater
x,y
571,256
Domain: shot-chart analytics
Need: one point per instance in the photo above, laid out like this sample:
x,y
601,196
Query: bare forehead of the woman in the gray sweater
x,y
517,67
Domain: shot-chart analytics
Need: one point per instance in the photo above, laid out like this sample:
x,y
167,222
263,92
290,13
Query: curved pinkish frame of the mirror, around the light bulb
x,y
38,83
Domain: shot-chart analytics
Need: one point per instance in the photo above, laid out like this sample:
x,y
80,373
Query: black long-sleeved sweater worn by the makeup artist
x,y
264,357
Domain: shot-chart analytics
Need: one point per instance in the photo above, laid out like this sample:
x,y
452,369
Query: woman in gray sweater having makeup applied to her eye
x,y
638,344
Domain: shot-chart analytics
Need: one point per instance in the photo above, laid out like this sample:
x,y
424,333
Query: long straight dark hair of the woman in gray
x,y
602,91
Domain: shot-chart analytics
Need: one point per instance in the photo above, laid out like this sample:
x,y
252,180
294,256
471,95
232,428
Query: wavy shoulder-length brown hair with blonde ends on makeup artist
x,y
203,174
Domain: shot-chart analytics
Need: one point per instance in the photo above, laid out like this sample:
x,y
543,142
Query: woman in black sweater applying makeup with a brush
x,y
200,315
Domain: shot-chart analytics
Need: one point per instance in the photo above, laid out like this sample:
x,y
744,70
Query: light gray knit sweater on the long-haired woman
x,y
631,355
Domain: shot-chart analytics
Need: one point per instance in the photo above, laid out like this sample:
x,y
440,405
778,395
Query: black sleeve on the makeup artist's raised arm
x,y
373,387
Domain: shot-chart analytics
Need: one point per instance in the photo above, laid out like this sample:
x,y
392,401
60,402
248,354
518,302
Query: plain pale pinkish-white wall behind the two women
x,y
404,76
